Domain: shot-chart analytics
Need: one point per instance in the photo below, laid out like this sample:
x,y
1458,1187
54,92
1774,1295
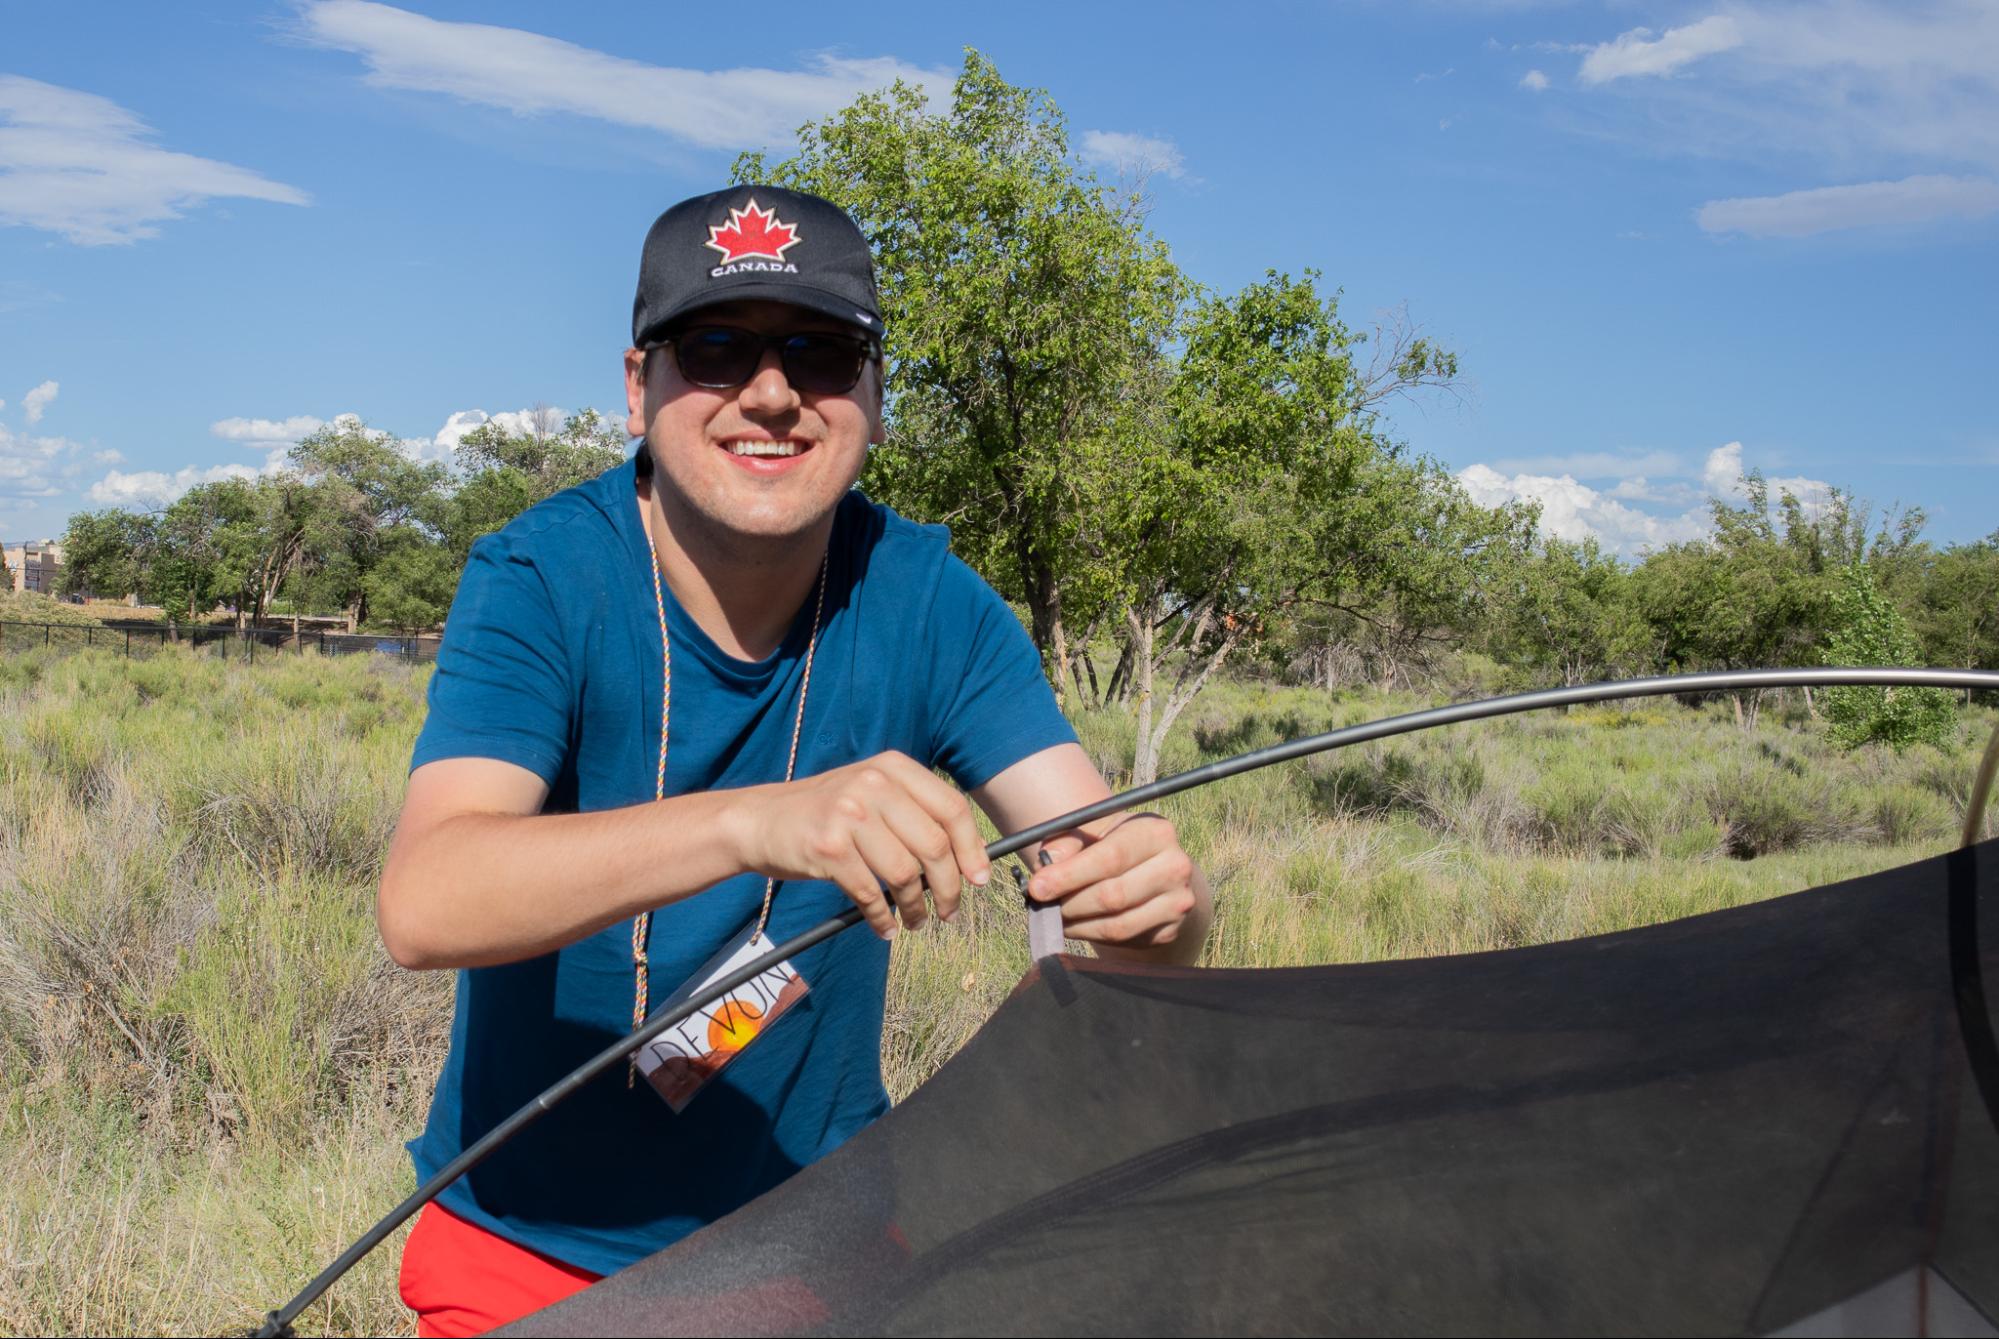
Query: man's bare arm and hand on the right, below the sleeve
x,y
1124,882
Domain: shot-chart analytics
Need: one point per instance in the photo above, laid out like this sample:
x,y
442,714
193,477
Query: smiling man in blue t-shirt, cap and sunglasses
x,y
697,698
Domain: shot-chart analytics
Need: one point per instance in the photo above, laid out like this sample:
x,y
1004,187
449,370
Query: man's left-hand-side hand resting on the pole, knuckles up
x,y
883,820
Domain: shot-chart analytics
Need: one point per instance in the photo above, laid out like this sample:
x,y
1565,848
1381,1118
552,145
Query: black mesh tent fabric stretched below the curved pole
x,y
1764,1120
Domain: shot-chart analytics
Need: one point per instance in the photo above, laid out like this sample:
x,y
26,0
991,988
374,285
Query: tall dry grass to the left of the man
x,y
209,1062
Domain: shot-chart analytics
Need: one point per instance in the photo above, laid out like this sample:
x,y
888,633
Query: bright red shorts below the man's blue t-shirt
x,y
463,1280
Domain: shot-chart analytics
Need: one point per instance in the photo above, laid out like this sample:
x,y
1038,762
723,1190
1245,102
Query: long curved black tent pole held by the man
x,y
1718,682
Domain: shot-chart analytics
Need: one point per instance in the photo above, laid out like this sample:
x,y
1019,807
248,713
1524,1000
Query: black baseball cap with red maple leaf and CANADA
x,y
755,243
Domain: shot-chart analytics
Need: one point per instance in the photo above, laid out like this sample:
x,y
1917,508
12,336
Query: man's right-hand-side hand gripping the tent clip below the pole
x,y
1132,888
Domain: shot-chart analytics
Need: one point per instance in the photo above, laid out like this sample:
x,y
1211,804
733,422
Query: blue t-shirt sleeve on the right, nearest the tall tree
x,y
995,704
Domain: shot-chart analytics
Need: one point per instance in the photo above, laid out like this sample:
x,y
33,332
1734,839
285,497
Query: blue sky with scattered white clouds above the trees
x,y
1668,241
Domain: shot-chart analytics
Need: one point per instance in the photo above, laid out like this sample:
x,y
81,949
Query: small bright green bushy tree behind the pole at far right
x,y
1870,633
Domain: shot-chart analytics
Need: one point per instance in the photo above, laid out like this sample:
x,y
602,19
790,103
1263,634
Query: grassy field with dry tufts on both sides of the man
x,y
211,1066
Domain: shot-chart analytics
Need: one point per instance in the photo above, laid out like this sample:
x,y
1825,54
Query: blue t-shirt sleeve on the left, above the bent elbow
x,y
503,680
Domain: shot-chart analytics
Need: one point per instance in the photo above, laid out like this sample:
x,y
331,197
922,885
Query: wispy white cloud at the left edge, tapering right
x,y
83,167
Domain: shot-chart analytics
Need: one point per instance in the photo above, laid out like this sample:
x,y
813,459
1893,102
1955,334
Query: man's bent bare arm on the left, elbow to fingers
x,y
481,876
